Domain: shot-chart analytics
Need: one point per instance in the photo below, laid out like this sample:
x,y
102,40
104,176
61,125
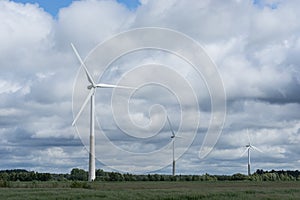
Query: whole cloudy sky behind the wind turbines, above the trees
x,y
254,47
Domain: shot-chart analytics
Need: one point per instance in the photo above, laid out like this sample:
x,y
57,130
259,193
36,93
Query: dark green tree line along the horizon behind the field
x,y
77,174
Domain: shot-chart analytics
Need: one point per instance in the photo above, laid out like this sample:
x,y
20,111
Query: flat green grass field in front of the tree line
x,y
152,190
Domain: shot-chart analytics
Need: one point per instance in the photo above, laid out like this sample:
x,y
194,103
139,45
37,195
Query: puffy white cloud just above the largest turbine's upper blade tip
x,y
86,23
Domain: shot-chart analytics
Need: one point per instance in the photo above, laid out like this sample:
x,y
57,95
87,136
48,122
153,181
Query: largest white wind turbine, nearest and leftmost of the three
x,y
91,96
